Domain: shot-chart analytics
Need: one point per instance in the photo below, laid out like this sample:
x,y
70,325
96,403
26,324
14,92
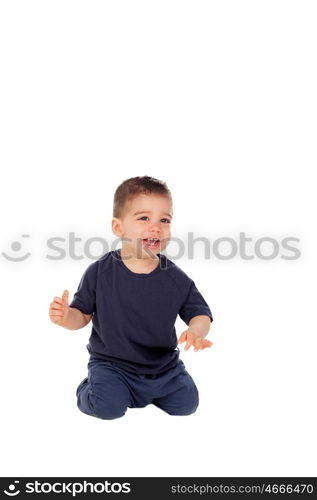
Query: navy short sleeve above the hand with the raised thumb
x,y
85,297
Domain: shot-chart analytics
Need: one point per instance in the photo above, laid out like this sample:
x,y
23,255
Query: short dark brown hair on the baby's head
x,y
133,186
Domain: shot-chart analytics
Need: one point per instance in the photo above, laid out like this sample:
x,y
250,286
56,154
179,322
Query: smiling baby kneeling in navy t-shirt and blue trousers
x,y
133,296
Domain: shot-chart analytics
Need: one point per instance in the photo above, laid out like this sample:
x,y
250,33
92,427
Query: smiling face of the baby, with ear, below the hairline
x,y
146,216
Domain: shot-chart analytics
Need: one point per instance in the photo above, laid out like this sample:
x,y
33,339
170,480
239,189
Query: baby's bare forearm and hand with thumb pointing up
x,y
69,317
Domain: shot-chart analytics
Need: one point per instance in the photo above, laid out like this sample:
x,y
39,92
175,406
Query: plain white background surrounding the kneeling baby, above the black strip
x,y
217,99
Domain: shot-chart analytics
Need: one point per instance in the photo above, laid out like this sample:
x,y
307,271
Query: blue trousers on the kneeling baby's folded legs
x,y
108,390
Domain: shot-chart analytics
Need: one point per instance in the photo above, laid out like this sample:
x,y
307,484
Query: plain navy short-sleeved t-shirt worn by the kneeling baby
x,y
134,314
